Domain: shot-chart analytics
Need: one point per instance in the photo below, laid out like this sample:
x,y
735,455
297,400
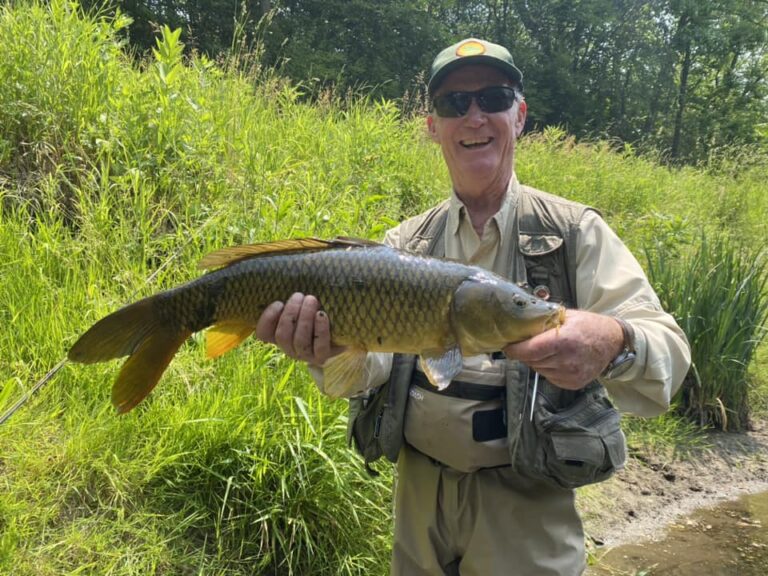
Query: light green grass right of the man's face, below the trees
x,y
643,199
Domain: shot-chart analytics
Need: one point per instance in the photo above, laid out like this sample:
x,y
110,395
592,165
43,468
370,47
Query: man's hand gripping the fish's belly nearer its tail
x,y
299,328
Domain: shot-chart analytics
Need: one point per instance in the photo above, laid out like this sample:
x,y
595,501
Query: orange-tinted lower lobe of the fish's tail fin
x,y
143,369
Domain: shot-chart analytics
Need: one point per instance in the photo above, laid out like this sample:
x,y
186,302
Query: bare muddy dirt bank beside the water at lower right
x,y
653,491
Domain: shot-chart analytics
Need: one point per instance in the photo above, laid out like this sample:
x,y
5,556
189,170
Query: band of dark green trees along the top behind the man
x,y
683,77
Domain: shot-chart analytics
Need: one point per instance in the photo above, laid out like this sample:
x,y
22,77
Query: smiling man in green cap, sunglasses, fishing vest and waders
x,y
486,469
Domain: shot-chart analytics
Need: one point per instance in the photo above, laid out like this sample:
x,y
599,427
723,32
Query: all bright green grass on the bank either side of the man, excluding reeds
x,y
115,178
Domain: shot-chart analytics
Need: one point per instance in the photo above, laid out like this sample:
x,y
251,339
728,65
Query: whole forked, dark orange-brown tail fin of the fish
x,y
133,331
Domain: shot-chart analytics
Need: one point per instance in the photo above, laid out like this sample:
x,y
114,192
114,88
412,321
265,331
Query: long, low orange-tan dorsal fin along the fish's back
x,y
233,254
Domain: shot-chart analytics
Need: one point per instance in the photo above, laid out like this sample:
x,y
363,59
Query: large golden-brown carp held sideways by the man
x,y
377,299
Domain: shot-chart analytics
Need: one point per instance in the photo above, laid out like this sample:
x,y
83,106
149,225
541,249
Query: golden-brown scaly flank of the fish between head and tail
x,y
403,295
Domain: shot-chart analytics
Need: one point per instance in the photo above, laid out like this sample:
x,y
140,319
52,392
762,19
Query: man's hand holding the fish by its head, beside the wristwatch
x,y
574,354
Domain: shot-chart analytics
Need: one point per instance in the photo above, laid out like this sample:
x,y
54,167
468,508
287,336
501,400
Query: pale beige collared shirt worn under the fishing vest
x,y
609,280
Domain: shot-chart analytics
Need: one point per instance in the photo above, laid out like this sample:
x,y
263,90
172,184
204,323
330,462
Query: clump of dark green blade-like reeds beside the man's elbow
x,y
718,291
